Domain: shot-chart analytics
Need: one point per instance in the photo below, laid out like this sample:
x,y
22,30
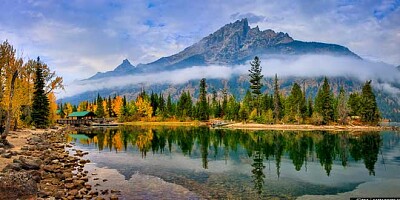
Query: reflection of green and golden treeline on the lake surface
x,y
261,146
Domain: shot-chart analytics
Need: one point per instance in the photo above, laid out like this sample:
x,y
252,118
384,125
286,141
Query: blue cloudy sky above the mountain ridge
x,y
78,38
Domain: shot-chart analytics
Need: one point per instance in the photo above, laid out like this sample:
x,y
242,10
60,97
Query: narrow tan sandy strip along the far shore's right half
x,y
301,127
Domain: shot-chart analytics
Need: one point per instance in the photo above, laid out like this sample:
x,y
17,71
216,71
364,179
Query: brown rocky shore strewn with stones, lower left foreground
x,y
46,168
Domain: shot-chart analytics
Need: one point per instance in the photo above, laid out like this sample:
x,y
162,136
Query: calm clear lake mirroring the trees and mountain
x,y
199,162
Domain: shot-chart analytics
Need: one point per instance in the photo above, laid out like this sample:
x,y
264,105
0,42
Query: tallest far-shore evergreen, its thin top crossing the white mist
x,y
255,82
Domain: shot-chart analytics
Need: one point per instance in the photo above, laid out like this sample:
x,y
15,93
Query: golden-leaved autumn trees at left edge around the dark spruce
x,y
17,87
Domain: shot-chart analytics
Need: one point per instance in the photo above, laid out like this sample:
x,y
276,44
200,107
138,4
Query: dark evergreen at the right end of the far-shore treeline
x,y
369,110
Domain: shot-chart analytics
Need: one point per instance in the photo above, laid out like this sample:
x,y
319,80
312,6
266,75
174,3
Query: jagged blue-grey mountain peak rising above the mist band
x,y
234,43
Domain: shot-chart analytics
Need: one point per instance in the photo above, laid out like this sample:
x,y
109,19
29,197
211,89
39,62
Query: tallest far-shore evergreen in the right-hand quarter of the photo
x,y
324,102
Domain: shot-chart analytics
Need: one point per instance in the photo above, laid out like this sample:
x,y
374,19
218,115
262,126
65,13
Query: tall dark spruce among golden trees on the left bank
x,y
40,106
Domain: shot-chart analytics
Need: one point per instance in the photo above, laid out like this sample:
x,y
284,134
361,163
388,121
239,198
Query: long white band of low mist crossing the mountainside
x,y
299,66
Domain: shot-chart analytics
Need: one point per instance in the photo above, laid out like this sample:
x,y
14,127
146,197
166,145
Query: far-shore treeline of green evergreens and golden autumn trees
x,y
326,108
